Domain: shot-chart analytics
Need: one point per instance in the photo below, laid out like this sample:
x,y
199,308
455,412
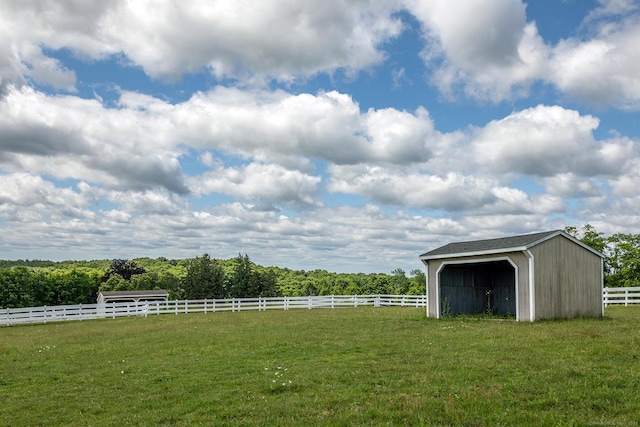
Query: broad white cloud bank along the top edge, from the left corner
x,y
228,37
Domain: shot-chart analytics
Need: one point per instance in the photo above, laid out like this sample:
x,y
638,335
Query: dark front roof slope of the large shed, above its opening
x,y
499,245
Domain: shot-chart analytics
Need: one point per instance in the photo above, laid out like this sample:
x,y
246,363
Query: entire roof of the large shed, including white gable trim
x,y
499,245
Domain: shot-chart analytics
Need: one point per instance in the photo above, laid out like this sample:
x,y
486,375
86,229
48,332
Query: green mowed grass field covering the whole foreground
x,y
364,366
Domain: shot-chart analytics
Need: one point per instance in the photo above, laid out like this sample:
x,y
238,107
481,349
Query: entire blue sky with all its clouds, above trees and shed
x,y
349,136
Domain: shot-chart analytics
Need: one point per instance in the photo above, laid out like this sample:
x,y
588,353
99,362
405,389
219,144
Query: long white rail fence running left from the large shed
x,y
12,316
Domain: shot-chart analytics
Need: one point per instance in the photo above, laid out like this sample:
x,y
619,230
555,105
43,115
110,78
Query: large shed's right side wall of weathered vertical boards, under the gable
x,y
568,280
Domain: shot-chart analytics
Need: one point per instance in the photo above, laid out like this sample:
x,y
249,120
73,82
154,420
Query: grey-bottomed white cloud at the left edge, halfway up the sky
x,y
69,137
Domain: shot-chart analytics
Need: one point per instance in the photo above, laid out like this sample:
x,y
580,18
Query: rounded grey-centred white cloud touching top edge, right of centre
x,y
480,48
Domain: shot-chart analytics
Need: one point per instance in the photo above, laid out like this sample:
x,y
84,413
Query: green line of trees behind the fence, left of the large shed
x,y
25,283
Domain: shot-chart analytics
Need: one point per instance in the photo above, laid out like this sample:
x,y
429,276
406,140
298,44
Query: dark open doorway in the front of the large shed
x,y
478,288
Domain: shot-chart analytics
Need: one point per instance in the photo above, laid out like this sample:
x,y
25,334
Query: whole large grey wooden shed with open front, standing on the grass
x,y
532,277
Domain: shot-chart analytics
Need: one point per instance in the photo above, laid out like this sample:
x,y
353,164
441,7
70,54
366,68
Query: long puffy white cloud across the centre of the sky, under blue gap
x,y
278,126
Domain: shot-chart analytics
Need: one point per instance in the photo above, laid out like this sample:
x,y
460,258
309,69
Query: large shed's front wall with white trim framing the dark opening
x,y
522,291
